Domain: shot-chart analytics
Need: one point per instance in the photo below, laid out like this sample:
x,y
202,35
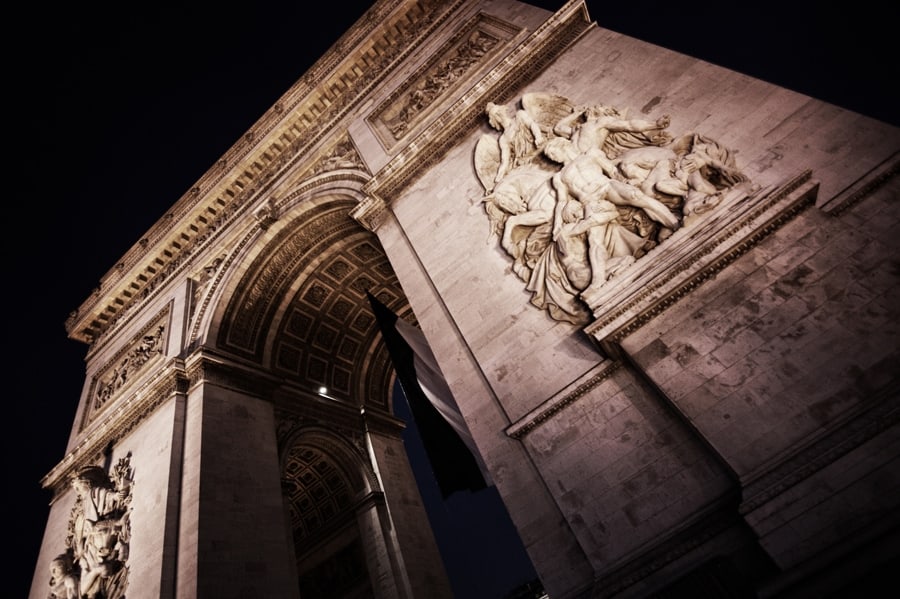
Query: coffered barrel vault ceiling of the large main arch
x,y
294,300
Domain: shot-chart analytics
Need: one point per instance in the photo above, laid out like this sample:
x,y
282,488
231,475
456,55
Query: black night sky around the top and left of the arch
x,y
116,111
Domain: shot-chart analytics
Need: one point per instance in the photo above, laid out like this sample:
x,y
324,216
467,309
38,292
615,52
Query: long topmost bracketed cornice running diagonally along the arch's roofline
x,y
307,114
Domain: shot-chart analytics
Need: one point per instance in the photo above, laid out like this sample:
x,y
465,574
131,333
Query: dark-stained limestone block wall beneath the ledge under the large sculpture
x,y
787,362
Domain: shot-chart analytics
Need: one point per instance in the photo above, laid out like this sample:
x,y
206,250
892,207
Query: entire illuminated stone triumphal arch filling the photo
x,y
719,411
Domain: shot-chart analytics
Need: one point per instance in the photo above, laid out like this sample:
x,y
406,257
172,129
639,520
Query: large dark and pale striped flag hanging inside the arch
x,y
455,461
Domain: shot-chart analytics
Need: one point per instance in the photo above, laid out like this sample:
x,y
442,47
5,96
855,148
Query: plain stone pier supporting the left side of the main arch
x,y
233,541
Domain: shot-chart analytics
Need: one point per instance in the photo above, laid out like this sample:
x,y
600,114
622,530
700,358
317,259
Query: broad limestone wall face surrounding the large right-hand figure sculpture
x,y
783,346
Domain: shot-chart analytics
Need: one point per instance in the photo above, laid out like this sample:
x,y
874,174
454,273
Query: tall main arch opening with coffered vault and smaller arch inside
x,y
290,307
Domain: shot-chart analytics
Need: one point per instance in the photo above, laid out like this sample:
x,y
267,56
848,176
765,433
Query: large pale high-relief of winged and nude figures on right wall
x,y
575,194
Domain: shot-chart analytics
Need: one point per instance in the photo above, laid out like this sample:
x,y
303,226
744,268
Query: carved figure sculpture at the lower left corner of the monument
x,y
94,564
